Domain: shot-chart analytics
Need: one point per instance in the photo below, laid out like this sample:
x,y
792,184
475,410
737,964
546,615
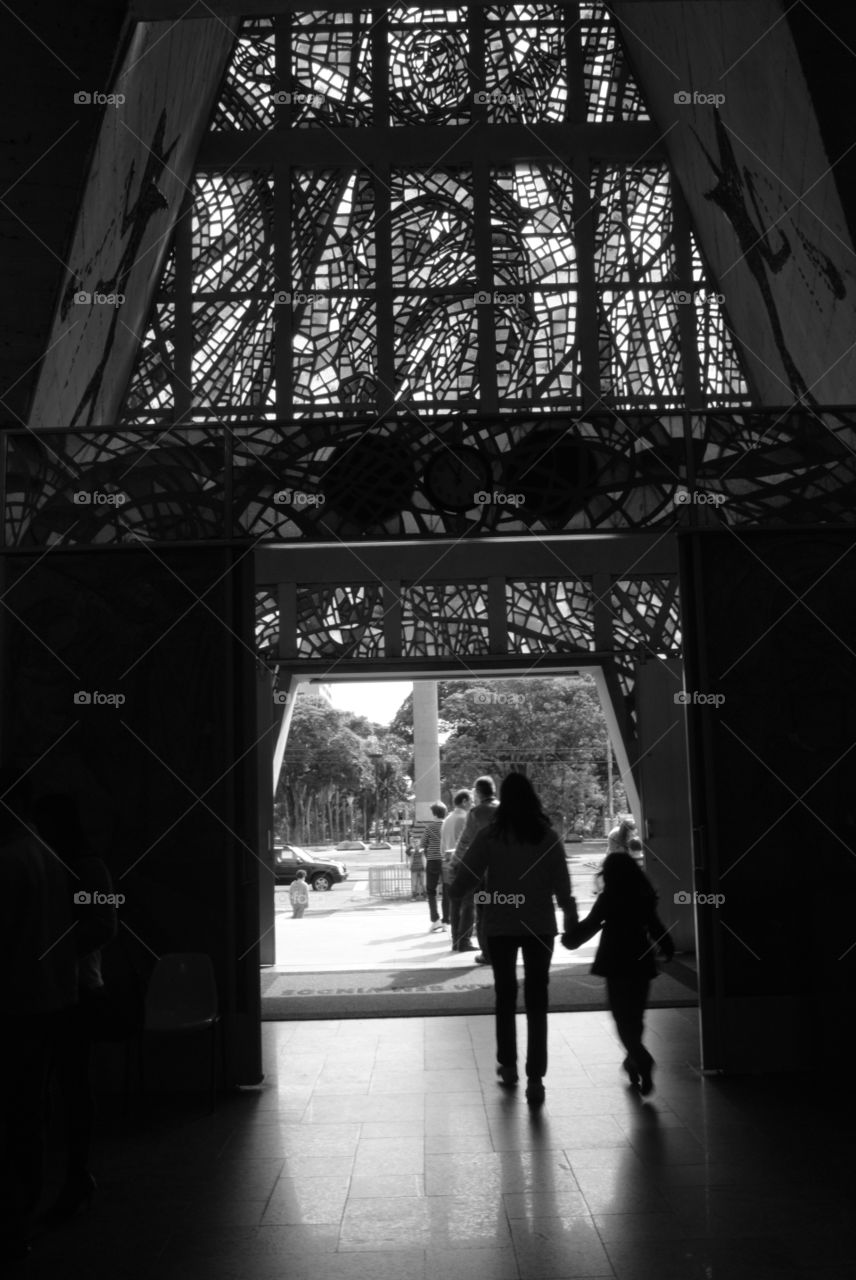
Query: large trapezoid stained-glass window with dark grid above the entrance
x,y
390,217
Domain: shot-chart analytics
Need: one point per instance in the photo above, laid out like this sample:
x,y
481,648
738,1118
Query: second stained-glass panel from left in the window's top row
x,y
332,58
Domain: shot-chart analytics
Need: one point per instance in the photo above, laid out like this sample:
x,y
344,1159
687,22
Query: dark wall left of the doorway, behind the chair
x,y
166,780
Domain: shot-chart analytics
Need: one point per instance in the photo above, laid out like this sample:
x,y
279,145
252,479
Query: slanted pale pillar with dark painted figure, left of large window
x,y
144,162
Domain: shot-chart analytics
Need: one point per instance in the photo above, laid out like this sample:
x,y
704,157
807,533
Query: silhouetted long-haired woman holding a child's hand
x,y
520,861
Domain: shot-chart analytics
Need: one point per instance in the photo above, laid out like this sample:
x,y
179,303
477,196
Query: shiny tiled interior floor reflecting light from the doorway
x,y
386,1151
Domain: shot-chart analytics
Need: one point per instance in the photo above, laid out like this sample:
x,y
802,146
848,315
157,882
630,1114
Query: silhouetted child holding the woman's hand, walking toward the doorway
x,y
633,932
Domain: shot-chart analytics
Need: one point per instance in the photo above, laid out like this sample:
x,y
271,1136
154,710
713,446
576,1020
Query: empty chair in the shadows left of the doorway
x,y
181,999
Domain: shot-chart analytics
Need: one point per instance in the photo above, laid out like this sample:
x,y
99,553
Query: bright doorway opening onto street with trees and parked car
x,y
346,815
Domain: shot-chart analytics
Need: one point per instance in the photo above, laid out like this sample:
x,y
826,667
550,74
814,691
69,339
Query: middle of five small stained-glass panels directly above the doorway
x,y
445,620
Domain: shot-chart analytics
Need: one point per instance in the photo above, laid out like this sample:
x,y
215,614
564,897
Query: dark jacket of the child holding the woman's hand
x,y
633,934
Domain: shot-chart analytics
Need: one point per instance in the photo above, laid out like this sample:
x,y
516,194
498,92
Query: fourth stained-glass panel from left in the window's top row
x,y
527,77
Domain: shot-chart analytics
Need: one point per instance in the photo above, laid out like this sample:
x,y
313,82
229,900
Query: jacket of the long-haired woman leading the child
x,y
520,884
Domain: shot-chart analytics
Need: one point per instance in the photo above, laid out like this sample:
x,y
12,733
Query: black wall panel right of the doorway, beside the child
x,y
771,628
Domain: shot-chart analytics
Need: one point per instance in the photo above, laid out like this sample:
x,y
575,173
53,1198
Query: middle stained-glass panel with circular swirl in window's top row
x,y
429,75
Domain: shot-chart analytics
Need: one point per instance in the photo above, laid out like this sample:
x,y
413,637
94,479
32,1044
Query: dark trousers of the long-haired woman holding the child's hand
x,y
538,954
